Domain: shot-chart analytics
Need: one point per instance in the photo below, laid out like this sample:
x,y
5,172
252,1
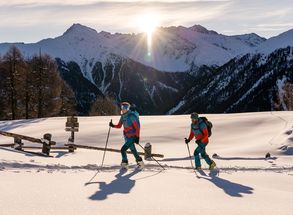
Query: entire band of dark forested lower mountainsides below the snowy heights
x,y
243,84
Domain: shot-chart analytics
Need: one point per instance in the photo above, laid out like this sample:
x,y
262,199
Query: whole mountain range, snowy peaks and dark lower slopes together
x,y
188,69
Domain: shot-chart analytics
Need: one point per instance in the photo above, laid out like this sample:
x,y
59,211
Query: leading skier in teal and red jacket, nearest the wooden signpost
x,y
130,121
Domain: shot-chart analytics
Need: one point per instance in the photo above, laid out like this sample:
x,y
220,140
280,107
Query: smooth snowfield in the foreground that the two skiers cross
x,y
247,183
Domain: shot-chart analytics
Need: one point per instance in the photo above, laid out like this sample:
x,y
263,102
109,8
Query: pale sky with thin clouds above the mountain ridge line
x,y
33,20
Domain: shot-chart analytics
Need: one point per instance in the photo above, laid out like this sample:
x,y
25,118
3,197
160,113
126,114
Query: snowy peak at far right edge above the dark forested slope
x,y
281,41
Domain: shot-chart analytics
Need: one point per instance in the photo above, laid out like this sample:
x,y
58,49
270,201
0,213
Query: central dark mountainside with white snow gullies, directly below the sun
x,y
152,91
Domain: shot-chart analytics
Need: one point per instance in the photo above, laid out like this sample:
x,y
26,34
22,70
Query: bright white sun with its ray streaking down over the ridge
x,y
148,24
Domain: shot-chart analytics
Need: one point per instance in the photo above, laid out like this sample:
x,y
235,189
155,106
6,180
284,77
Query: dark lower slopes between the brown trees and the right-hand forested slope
x,y
152,91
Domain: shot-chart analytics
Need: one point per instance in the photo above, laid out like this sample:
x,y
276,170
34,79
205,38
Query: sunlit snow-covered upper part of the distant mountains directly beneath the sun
x,y
173,48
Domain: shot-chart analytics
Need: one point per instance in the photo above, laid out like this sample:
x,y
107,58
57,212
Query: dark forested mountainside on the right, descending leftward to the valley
x,y
242,85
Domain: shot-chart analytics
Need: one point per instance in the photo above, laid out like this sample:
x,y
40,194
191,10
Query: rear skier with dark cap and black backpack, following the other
x,y
199,130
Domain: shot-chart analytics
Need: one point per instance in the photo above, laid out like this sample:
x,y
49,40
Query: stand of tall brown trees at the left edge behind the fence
x,y
33,88
